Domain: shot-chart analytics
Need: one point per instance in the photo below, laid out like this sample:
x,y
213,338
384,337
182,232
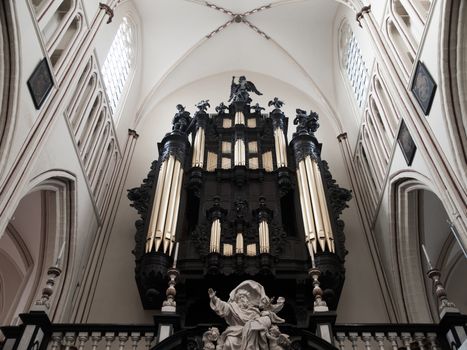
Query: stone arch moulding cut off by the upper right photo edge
x,y
453,78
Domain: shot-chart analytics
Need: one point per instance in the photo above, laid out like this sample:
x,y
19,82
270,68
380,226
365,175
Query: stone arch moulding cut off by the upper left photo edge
x,y
9,76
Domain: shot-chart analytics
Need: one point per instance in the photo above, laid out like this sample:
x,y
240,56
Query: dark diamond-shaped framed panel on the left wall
x,y
40,83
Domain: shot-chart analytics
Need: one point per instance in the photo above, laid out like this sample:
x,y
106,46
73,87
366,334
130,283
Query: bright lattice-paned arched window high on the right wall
x,y
353,65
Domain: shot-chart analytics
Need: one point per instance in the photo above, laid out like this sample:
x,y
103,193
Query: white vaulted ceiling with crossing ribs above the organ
x,y
183,41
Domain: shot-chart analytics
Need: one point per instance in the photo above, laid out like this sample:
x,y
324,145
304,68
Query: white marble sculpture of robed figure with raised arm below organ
x,y
251,317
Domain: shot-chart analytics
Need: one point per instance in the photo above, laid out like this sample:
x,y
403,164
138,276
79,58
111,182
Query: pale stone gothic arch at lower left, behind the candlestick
x,y
43,220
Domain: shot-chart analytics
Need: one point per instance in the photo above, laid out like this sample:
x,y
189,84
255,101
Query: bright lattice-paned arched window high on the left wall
x,y
118,63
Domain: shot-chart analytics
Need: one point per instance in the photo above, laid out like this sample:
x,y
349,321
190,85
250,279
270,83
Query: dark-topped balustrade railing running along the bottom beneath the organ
x,y
37,332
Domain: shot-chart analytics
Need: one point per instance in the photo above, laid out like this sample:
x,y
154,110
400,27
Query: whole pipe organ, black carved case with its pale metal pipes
x,y
242,203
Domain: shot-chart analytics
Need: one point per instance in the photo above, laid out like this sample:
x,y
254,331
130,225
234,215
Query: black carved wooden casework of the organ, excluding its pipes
x,y
240,196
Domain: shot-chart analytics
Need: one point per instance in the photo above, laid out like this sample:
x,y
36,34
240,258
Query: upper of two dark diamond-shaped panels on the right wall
x,y
423,87
